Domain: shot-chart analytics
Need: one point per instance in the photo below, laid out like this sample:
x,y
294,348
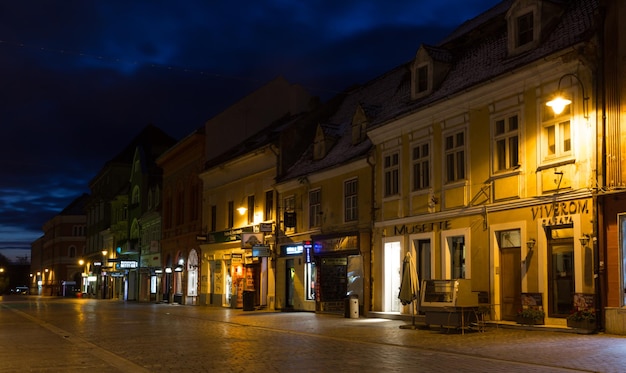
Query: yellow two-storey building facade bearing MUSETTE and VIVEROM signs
x,y
485,182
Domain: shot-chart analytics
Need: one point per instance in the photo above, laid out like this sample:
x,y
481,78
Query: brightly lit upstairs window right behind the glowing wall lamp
x,y
556,134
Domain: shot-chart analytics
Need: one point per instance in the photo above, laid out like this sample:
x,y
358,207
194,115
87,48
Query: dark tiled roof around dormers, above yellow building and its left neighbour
x,y
473,61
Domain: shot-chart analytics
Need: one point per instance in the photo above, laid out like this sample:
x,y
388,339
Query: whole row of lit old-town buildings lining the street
x,y
283,202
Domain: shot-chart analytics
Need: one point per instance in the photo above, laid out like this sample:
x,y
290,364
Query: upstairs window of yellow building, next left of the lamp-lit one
x,y
506,143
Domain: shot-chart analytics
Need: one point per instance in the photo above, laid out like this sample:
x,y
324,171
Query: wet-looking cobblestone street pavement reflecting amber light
x,y
44,334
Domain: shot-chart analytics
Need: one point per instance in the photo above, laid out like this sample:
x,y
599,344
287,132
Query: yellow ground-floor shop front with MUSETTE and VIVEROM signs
x,y
507,250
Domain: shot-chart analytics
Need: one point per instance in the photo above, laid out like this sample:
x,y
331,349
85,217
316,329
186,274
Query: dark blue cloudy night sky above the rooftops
x,y
79,79
